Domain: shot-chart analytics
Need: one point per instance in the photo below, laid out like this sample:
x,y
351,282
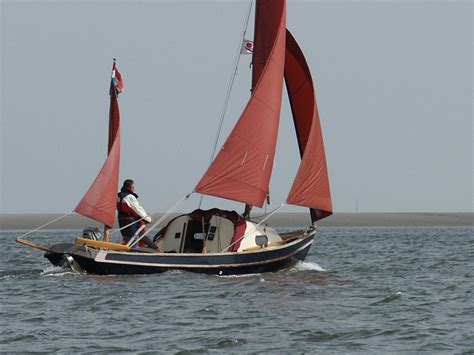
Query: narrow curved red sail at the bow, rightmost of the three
x,y
311,185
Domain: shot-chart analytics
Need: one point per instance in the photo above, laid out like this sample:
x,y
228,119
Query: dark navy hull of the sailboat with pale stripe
x,y
122,263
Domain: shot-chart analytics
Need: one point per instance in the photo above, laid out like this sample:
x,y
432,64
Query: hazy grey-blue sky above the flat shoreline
x,y
393,80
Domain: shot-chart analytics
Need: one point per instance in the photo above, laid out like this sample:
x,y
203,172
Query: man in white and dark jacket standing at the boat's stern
x,y
129,211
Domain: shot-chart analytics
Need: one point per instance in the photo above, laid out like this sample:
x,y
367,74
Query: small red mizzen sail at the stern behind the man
x,y
99,202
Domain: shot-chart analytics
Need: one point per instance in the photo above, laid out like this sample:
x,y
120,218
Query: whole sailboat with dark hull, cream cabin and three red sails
x,y
217,241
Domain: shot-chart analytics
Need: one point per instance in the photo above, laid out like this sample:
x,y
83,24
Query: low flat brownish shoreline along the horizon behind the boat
x,y
283,220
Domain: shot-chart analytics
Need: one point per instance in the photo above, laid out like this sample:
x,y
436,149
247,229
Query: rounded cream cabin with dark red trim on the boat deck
x,y
214,231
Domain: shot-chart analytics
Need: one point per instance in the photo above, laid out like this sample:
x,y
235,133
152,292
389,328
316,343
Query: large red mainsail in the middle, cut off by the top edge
x,y
241,171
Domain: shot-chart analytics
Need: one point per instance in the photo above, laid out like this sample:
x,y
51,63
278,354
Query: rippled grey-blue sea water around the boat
x,y
371,290
